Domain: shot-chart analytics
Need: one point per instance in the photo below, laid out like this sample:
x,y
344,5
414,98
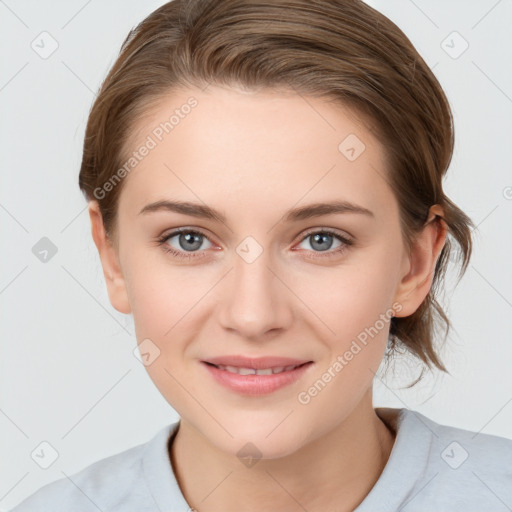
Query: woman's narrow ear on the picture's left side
x,y
114,279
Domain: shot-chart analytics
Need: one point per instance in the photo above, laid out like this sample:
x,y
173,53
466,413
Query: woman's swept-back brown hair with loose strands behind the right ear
x,y
341,50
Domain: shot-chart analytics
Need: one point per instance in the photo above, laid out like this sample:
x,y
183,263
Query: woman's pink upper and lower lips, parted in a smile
x,y
256,385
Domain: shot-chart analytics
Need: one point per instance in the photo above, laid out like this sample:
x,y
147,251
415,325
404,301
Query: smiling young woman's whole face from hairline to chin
x,y
269,279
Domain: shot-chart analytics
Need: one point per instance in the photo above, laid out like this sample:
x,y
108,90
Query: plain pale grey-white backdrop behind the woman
x,y
68,374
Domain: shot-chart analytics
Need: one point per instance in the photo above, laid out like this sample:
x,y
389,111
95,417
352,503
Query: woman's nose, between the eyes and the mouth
x,y
255,300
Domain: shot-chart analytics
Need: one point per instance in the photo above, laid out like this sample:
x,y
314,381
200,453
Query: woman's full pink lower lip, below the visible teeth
x,y
256,384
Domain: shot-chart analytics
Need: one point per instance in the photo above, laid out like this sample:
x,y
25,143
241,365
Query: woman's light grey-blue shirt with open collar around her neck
x,y
432,468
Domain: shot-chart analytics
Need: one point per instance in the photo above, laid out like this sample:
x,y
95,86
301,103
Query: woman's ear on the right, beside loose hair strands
x,y
421,263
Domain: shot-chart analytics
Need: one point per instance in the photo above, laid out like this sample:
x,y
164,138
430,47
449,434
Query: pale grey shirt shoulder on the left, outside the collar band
x,y
115,483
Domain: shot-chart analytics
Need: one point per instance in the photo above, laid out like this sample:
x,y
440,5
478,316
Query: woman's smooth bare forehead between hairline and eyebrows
x,y
254,149
